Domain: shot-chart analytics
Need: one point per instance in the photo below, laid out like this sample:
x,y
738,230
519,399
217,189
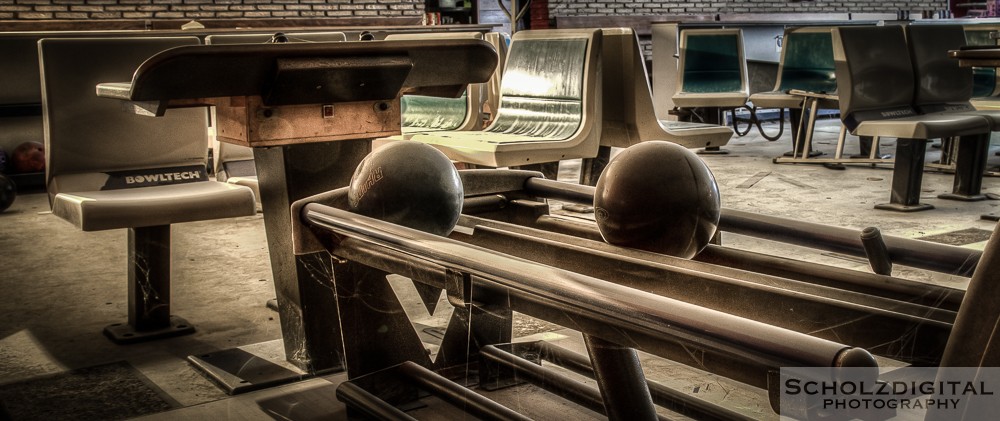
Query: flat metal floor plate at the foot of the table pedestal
x,y
237,370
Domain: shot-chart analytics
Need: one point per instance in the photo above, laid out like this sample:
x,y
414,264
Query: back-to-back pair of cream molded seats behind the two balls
x,y
590,94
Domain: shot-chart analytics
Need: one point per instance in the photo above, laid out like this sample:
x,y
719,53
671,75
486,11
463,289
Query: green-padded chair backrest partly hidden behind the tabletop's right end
x,y
421,113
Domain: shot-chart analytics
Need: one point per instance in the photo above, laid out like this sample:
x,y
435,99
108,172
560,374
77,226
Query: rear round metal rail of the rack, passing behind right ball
x,y
916,253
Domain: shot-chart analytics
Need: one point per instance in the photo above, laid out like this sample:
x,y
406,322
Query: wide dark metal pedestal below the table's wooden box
x,y
302,282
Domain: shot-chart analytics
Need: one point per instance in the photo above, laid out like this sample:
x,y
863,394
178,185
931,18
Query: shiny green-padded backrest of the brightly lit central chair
x,y
550,83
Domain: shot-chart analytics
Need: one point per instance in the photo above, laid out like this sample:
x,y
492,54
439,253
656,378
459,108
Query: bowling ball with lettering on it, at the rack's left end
x,y
410,184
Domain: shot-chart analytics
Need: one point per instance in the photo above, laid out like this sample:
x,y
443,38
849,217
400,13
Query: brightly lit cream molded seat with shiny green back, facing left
x,y
549,105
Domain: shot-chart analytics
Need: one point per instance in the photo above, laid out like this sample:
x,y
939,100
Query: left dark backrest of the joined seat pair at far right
x,y
874,75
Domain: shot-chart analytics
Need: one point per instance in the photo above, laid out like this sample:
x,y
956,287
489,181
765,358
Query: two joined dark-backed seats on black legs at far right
x,y
893,83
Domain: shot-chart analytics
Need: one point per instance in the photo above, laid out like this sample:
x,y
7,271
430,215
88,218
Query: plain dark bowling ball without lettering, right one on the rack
x,y
658,196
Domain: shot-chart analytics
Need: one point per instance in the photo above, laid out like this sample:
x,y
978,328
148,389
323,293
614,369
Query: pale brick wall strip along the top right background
x,y
652,7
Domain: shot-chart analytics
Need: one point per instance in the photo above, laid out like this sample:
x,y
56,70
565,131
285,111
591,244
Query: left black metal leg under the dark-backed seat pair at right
x,y
907,174
